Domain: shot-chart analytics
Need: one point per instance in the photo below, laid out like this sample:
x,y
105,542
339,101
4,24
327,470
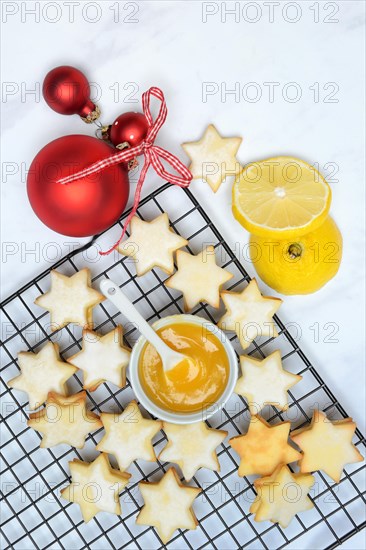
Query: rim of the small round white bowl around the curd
x,y
184,418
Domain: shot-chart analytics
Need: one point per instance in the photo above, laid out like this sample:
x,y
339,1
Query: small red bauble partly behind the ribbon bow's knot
x,y
128,128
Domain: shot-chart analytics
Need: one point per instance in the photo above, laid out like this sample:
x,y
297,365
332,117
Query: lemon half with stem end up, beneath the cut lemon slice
x,y
301,265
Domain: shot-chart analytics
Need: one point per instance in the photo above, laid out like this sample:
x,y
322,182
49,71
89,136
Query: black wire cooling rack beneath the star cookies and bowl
x,y
32,513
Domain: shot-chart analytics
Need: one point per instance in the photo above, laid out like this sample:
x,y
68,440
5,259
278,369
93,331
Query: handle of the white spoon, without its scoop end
x,y
112,291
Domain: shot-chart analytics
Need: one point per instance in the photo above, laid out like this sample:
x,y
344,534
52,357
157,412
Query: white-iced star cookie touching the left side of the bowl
x,y
102,359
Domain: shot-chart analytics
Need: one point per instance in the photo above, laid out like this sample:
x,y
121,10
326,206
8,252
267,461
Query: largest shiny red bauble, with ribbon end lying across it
x,y
85,206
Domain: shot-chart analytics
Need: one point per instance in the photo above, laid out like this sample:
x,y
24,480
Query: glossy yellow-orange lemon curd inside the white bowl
x,y
195,383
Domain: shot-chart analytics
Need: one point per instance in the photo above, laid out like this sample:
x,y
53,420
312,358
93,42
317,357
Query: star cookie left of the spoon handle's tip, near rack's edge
x,y
70,299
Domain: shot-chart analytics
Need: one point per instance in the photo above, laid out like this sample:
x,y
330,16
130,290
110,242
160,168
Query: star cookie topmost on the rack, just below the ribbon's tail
x,y
152,244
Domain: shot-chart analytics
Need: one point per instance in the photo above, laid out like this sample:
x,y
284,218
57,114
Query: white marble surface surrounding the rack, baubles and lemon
x,y
289,80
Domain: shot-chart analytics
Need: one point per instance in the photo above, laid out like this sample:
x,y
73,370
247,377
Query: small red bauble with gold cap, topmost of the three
x,y
67,91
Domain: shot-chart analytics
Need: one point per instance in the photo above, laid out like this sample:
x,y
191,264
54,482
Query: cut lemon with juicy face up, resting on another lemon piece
x,y
280,196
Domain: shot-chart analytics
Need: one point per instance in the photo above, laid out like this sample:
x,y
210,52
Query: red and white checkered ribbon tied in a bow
x,y
153,155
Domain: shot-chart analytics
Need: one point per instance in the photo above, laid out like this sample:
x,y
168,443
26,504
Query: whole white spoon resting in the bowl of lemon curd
x,y
169,357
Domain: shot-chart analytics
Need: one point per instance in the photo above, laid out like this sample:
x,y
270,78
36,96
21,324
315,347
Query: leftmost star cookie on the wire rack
x,y
41,373
